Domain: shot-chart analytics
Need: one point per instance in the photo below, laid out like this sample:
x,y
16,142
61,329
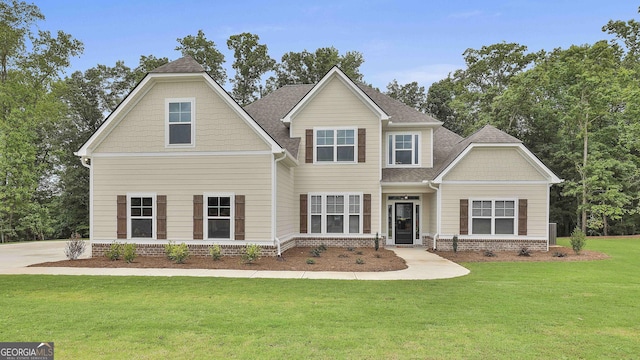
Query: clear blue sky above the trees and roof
x,y
405,40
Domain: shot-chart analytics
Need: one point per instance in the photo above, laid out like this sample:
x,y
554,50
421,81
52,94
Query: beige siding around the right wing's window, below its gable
x,y
536,194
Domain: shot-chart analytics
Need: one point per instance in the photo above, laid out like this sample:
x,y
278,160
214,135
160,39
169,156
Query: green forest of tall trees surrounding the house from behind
x,y
577,109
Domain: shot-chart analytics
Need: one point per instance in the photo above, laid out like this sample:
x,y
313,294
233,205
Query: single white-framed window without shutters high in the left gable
x,y
180,122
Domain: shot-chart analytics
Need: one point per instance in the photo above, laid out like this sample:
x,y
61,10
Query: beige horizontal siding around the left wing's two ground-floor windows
x,y
179,178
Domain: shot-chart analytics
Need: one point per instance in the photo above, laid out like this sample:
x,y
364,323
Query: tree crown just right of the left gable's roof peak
x,y
205,53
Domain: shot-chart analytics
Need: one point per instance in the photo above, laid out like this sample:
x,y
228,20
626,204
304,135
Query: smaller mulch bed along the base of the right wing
x,y
479,256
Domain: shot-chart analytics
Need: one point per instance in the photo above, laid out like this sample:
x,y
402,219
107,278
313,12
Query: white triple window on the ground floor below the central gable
x,y
339,213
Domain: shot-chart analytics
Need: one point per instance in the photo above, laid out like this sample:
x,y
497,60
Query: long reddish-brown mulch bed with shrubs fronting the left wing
x,y
332,259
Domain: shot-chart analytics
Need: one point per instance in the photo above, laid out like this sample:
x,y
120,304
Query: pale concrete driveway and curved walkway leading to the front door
x,y
422,265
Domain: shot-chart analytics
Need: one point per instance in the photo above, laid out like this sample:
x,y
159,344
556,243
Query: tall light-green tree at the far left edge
x,y
29,118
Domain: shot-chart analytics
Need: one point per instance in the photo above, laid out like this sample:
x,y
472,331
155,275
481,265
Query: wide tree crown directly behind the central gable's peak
x,y
308,68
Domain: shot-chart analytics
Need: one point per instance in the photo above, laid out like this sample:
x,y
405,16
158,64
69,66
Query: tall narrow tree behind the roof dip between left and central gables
x,y
251,62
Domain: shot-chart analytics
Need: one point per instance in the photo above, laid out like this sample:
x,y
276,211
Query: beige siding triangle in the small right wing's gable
x,y
499,163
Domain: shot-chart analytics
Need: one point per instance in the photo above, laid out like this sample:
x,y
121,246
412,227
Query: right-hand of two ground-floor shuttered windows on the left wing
x,y
219,210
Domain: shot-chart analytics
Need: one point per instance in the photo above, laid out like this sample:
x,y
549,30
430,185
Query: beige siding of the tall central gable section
x,y
337,106
